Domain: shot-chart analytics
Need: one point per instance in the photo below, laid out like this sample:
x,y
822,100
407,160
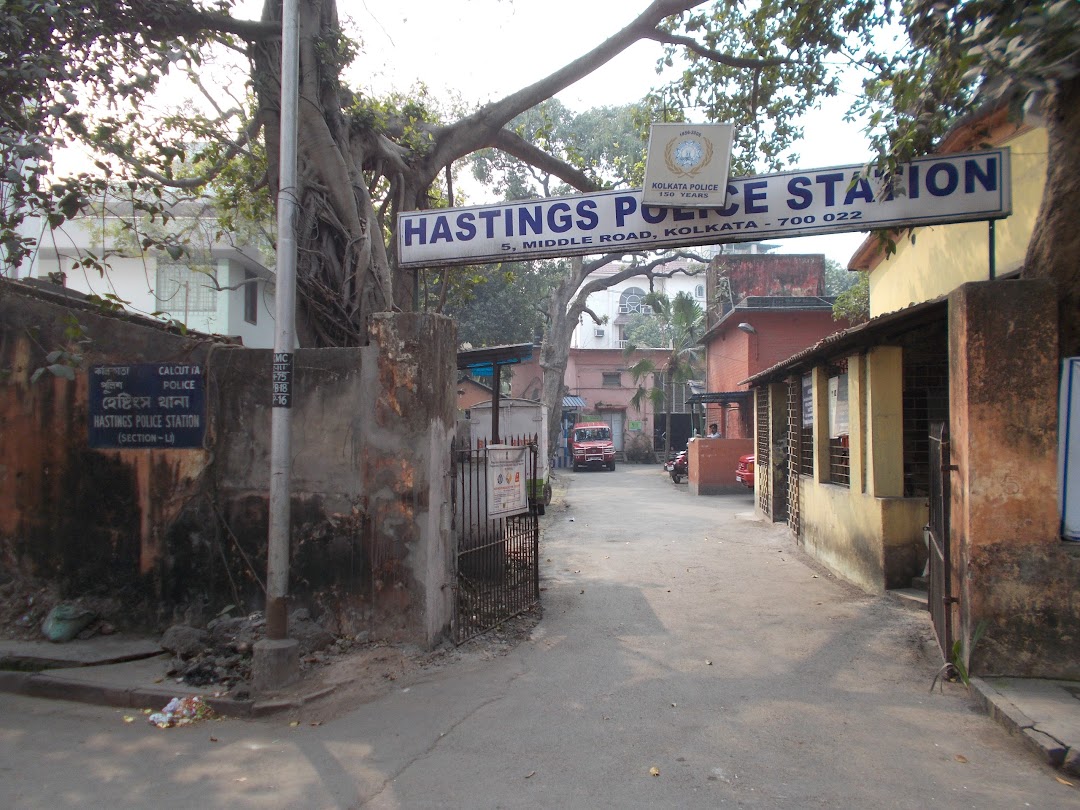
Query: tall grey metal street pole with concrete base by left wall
x,y
276,661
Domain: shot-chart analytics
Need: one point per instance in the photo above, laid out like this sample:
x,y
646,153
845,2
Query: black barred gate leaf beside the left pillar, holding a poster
x,y
497,566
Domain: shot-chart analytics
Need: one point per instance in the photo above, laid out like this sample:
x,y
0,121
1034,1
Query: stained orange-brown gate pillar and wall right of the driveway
x,y
1011,570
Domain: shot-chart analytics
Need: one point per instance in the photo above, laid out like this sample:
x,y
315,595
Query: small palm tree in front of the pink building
x,y
683,323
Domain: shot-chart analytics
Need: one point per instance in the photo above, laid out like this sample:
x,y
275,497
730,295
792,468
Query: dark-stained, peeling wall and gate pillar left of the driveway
x,y
184,533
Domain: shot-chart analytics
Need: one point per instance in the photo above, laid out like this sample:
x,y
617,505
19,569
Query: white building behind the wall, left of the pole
x,y
219,289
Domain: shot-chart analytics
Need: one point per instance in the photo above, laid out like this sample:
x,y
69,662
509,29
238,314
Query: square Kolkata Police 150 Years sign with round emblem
x,y
687,166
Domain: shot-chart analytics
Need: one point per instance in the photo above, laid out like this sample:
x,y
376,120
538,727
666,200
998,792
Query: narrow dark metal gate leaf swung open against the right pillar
x,y
940,597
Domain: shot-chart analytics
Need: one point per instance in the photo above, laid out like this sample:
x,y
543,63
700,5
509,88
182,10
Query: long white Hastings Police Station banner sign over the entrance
x,y
954,188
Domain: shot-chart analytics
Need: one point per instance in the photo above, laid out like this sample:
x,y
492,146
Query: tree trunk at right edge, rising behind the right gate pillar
x,y
1055,250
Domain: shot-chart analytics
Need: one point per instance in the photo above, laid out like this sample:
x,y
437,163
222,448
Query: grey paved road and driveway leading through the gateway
x,y
680,634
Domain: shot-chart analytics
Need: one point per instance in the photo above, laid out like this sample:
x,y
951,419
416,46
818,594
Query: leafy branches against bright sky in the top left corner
x,y
79,73
